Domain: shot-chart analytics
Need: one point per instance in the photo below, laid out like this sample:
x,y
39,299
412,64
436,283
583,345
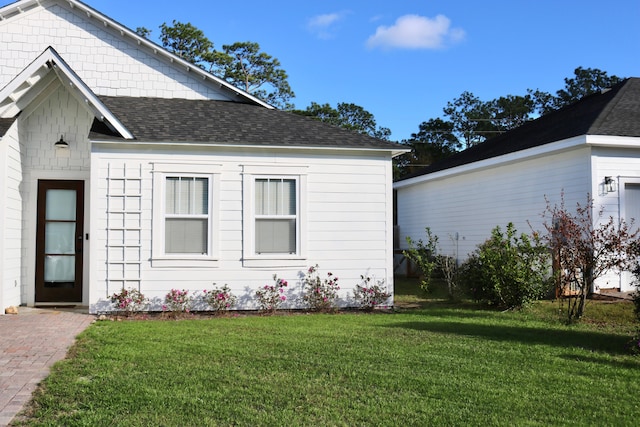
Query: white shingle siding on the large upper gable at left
x,y
109,63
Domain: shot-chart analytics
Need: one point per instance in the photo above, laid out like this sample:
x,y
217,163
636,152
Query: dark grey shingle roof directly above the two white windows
x,y
223,122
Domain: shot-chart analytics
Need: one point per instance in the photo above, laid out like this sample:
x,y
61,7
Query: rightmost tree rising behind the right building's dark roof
x,y
586,81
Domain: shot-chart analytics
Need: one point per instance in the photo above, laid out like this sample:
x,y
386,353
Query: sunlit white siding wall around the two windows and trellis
x,y
348,210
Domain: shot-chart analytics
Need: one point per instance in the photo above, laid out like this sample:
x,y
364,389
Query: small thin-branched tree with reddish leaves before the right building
x,y
585,248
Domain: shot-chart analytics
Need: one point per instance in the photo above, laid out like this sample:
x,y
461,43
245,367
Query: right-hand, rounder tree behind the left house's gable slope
x,y
243,65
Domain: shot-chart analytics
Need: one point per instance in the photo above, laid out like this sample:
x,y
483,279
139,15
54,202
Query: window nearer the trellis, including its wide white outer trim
x,y
185,218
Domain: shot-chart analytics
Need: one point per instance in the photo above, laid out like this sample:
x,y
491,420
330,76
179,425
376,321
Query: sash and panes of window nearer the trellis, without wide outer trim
x,y
186,215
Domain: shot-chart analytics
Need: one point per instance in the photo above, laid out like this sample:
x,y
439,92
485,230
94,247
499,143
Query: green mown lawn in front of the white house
x,y
437,364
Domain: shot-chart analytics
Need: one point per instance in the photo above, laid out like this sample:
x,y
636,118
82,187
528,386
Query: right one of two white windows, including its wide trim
x,y
274,216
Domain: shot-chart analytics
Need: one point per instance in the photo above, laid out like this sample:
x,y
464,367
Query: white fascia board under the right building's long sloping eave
x,y
540,151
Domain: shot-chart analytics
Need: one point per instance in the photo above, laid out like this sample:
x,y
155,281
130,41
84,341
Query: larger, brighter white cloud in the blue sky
x,y
416,32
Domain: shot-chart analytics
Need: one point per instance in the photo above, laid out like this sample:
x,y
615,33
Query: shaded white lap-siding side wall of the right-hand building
x,y
463,209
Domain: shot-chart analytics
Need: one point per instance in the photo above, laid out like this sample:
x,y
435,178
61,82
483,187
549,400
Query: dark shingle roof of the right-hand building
x,y
615,112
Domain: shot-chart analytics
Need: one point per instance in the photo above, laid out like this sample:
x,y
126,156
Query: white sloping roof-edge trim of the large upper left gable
x,y
22,6
